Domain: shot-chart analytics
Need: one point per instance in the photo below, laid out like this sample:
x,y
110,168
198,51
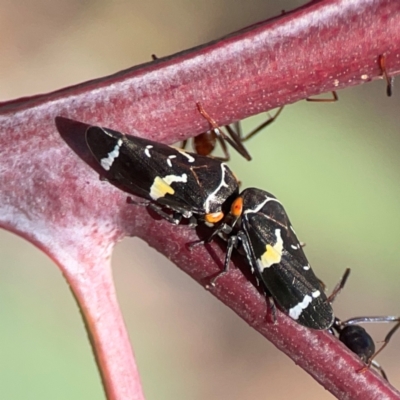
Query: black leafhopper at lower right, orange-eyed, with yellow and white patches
x,y
259,225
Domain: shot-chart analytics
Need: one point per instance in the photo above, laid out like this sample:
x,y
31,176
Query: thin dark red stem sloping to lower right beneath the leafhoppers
x,y
319,353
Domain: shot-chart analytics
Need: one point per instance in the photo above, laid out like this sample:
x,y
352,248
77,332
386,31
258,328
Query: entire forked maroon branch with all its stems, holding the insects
x,y
56,201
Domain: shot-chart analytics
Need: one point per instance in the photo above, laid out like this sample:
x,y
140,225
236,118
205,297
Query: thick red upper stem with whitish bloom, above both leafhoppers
x,y
326,46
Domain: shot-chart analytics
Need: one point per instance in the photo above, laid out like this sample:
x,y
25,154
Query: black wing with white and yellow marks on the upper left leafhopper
x,y
183,181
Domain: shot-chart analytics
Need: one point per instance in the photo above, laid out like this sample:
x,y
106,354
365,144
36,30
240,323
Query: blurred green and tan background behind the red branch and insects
x,y
334,166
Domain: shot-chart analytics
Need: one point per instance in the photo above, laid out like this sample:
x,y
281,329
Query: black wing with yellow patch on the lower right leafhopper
x,y
282,267
